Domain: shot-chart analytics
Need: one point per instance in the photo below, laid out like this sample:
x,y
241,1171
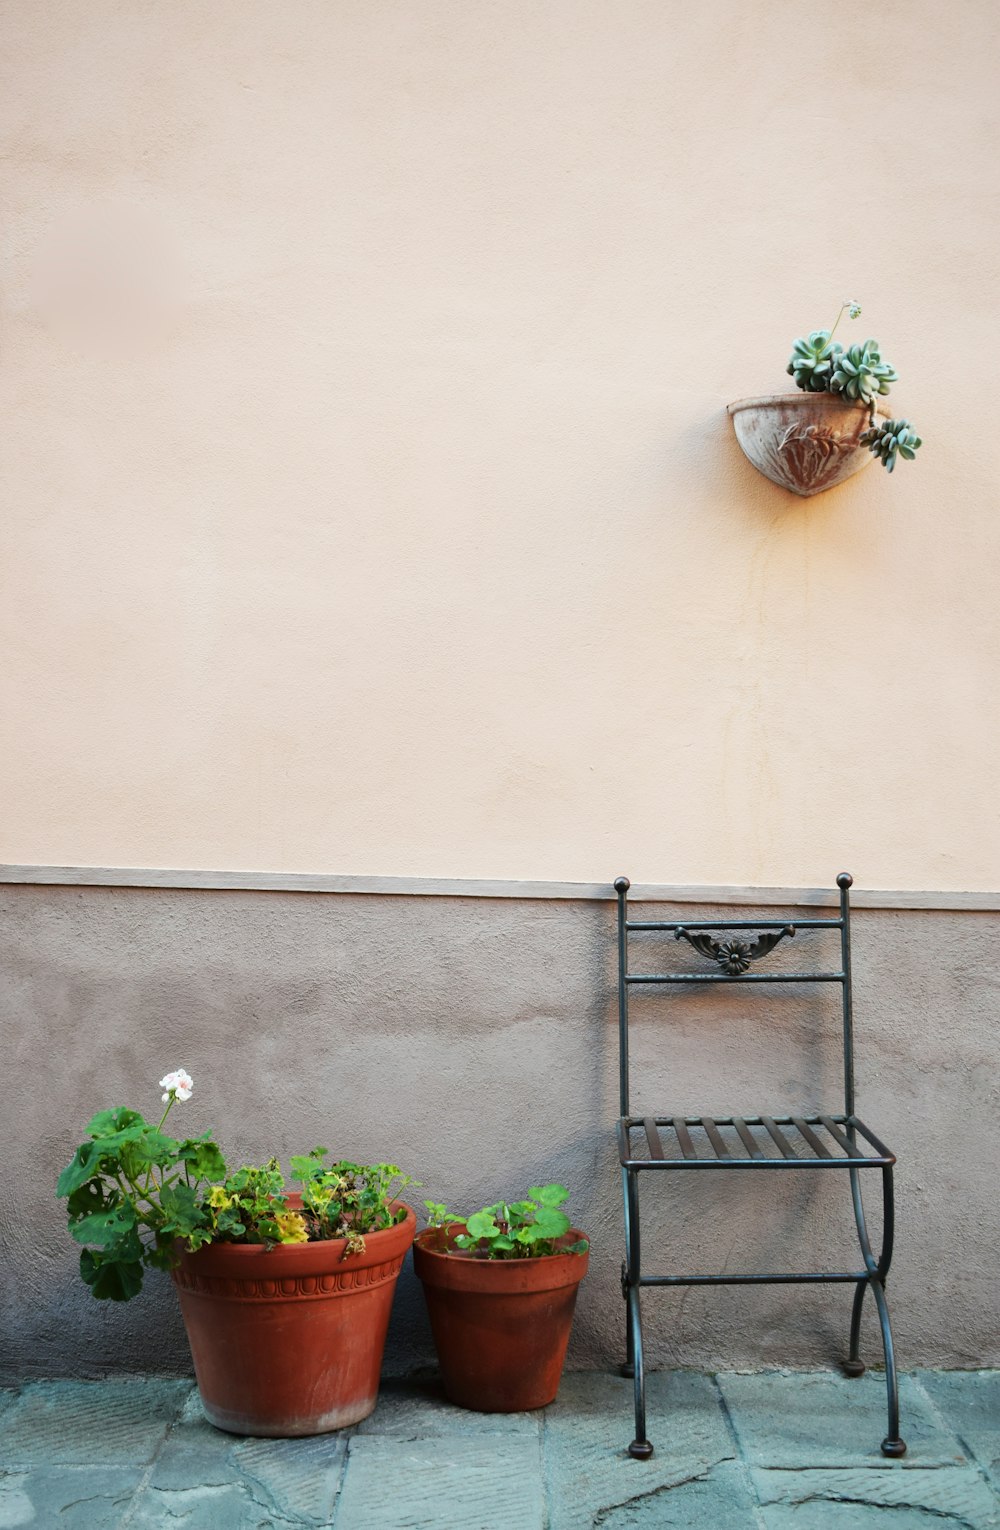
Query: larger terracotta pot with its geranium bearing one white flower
x,y
285,1295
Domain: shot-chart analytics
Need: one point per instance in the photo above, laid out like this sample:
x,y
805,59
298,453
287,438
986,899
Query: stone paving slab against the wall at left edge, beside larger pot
x,y
89,1424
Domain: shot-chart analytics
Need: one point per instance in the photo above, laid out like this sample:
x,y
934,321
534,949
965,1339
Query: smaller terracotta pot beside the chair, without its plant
x,y
501,1326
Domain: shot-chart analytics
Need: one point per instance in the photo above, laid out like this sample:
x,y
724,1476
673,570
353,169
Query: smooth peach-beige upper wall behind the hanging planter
x,y
369,501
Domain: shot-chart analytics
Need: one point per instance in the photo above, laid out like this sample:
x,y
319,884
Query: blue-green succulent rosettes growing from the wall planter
x,y
820,365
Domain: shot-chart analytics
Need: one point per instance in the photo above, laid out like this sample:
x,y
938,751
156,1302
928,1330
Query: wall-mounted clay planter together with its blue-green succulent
x,y
817,438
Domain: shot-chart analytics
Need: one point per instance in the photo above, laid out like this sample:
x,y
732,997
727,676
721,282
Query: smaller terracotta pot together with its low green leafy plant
x,y
501,1291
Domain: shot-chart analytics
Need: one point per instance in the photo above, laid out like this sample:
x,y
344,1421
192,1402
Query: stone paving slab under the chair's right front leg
x,y
828,1421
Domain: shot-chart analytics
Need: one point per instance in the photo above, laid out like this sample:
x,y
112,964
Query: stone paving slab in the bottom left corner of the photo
x,y
70,1497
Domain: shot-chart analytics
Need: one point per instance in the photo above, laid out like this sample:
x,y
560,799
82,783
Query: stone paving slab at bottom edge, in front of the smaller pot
x,y
476,1483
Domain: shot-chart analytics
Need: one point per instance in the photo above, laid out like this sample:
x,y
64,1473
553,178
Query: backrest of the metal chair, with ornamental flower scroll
x,y
733,959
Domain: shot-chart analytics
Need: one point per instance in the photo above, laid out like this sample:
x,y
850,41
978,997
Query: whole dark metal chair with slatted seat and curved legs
x,y
810,1142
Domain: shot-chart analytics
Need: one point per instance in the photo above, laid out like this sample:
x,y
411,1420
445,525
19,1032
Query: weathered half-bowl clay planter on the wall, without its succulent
x,y
805,443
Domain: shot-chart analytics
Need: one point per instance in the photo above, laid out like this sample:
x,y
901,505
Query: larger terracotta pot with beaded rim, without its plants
x,y
290,1341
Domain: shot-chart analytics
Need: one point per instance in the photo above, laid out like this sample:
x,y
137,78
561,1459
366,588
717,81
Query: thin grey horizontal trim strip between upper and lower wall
x,y
484,888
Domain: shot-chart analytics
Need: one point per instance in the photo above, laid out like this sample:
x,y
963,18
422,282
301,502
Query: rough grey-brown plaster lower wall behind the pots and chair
x,y
473,1041
